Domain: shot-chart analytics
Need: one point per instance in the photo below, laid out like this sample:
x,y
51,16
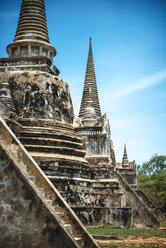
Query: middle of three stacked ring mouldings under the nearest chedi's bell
x,y
46,134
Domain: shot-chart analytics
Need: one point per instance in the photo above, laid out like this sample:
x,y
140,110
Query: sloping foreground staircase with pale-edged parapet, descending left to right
x,y
56,205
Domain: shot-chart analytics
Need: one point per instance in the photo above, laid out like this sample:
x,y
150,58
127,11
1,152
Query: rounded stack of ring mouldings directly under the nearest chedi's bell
x,y
54,146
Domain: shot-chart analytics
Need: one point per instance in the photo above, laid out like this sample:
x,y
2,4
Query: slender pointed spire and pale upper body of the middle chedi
x,y
94,129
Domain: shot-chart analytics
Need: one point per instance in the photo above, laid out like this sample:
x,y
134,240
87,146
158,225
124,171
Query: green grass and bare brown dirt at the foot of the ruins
x,y
130,238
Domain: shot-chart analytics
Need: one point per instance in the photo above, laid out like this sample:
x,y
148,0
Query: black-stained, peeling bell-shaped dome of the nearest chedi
x,y
40,95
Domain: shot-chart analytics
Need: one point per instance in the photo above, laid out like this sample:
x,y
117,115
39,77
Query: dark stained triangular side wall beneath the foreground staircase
x,y
25,221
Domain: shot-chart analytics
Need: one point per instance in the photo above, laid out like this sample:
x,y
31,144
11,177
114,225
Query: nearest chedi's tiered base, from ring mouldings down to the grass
x,y
60,155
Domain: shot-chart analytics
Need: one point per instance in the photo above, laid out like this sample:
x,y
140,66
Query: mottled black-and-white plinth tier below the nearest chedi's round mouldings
x,y
88,193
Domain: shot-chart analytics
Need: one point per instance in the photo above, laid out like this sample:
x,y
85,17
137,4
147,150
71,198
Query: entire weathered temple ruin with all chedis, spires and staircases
x,y
76,155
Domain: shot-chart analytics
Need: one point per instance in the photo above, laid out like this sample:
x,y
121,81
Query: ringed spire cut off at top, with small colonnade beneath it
x,y
31,38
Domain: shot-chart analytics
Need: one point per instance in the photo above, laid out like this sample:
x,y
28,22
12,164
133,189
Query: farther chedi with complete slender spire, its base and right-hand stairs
x,y
114,199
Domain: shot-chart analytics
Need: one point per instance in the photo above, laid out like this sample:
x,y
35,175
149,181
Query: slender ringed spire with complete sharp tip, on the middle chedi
x,y
90,93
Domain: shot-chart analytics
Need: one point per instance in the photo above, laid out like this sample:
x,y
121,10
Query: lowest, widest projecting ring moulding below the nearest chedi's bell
x,y
54,149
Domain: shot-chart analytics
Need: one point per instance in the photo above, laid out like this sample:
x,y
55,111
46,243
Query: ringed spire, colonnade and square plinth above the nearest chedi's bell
x,y
31,42
